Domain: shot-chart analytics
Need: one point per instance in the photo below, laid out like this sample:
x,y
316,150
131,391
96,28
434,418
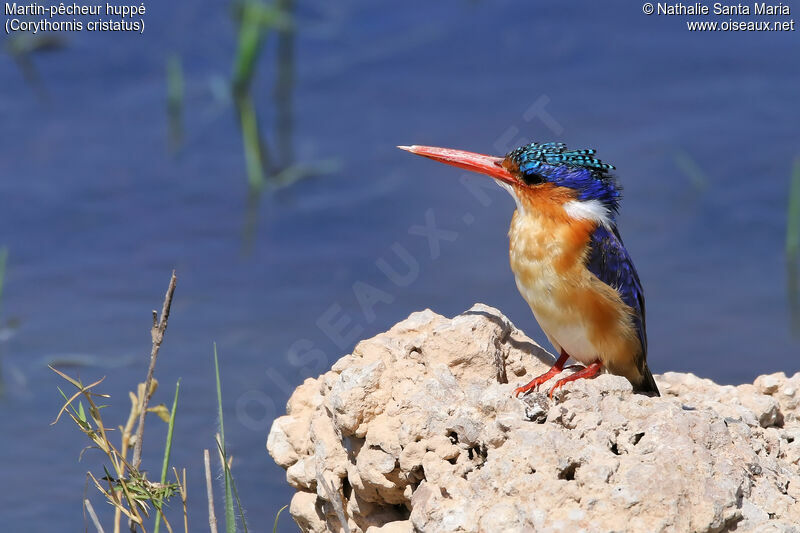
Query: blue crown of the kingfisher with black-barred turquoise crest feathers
x,y
554,163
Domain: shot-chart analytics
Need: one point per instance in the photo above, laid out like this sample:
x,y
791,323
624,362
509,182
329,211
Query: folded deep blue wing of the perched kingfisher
x,y
609,261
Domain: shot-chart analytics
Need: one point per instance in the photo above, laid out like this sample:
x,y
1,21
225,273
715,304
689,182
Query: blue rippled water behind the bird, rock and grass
x,y
96,209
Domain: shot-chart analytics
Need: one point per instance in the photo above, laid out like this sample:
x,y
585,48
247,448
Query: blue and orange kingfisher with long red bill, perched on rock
x,y
568,259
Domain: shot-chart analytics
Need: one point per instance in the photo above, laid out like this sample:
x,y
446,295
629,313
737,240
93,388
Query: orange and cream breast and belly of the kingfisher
x,y
579,313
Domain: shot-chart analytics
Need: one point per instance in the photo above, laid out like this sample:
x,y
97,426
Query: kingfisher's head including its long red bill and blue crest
x,y
539,170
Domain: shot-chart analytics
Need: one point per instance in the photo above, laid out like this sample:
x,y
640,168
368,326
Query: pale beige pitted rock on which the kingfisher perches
x,y
418,430
